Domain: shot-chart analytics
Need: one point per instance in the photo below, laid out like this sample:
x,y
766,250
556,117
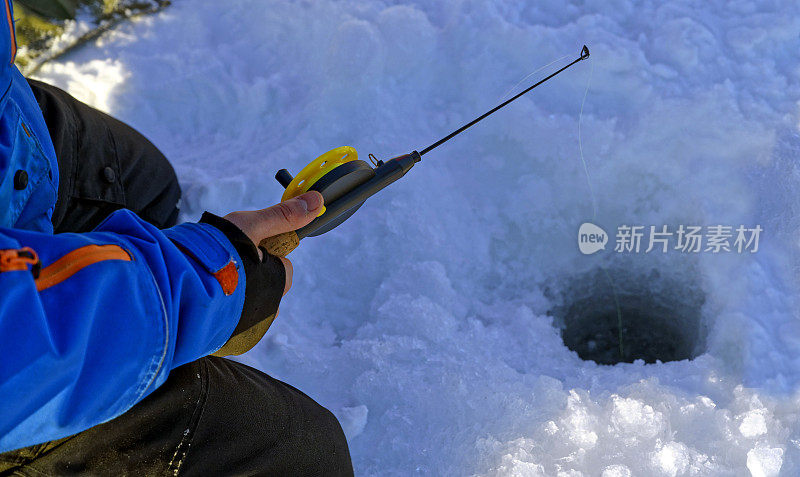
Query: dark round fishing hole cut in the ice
x,y
661,317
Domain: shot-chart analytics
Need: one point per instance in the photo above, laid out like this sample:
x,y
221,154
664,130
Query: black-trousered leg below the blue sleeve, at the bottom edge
x,y
212,417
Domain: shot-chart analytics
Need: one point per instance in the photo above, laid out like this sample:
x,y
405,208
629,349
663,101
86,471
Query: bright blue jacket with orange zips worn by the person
x,y
112,311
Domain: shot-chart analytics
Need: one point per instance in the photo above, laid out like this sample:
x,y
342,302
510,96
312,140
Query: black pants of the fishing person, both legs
x,y
212,416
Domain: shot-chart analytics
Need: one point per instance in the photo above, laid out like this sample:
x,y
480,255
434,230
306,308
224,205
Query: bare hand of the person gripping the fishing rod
x,y
284,217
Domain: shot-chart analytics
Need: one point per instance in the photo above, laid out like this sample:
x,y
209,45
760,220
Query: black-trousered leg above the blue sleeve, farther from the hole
x,y
104,165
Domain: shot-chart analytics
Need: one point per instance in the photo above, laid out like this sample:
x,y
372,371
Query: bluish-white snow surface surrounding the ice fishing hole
x,y
424,323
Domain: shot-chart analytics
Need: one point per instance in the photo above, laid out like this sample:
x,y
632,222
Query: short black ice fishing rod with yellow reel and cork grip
x,y
346,182
